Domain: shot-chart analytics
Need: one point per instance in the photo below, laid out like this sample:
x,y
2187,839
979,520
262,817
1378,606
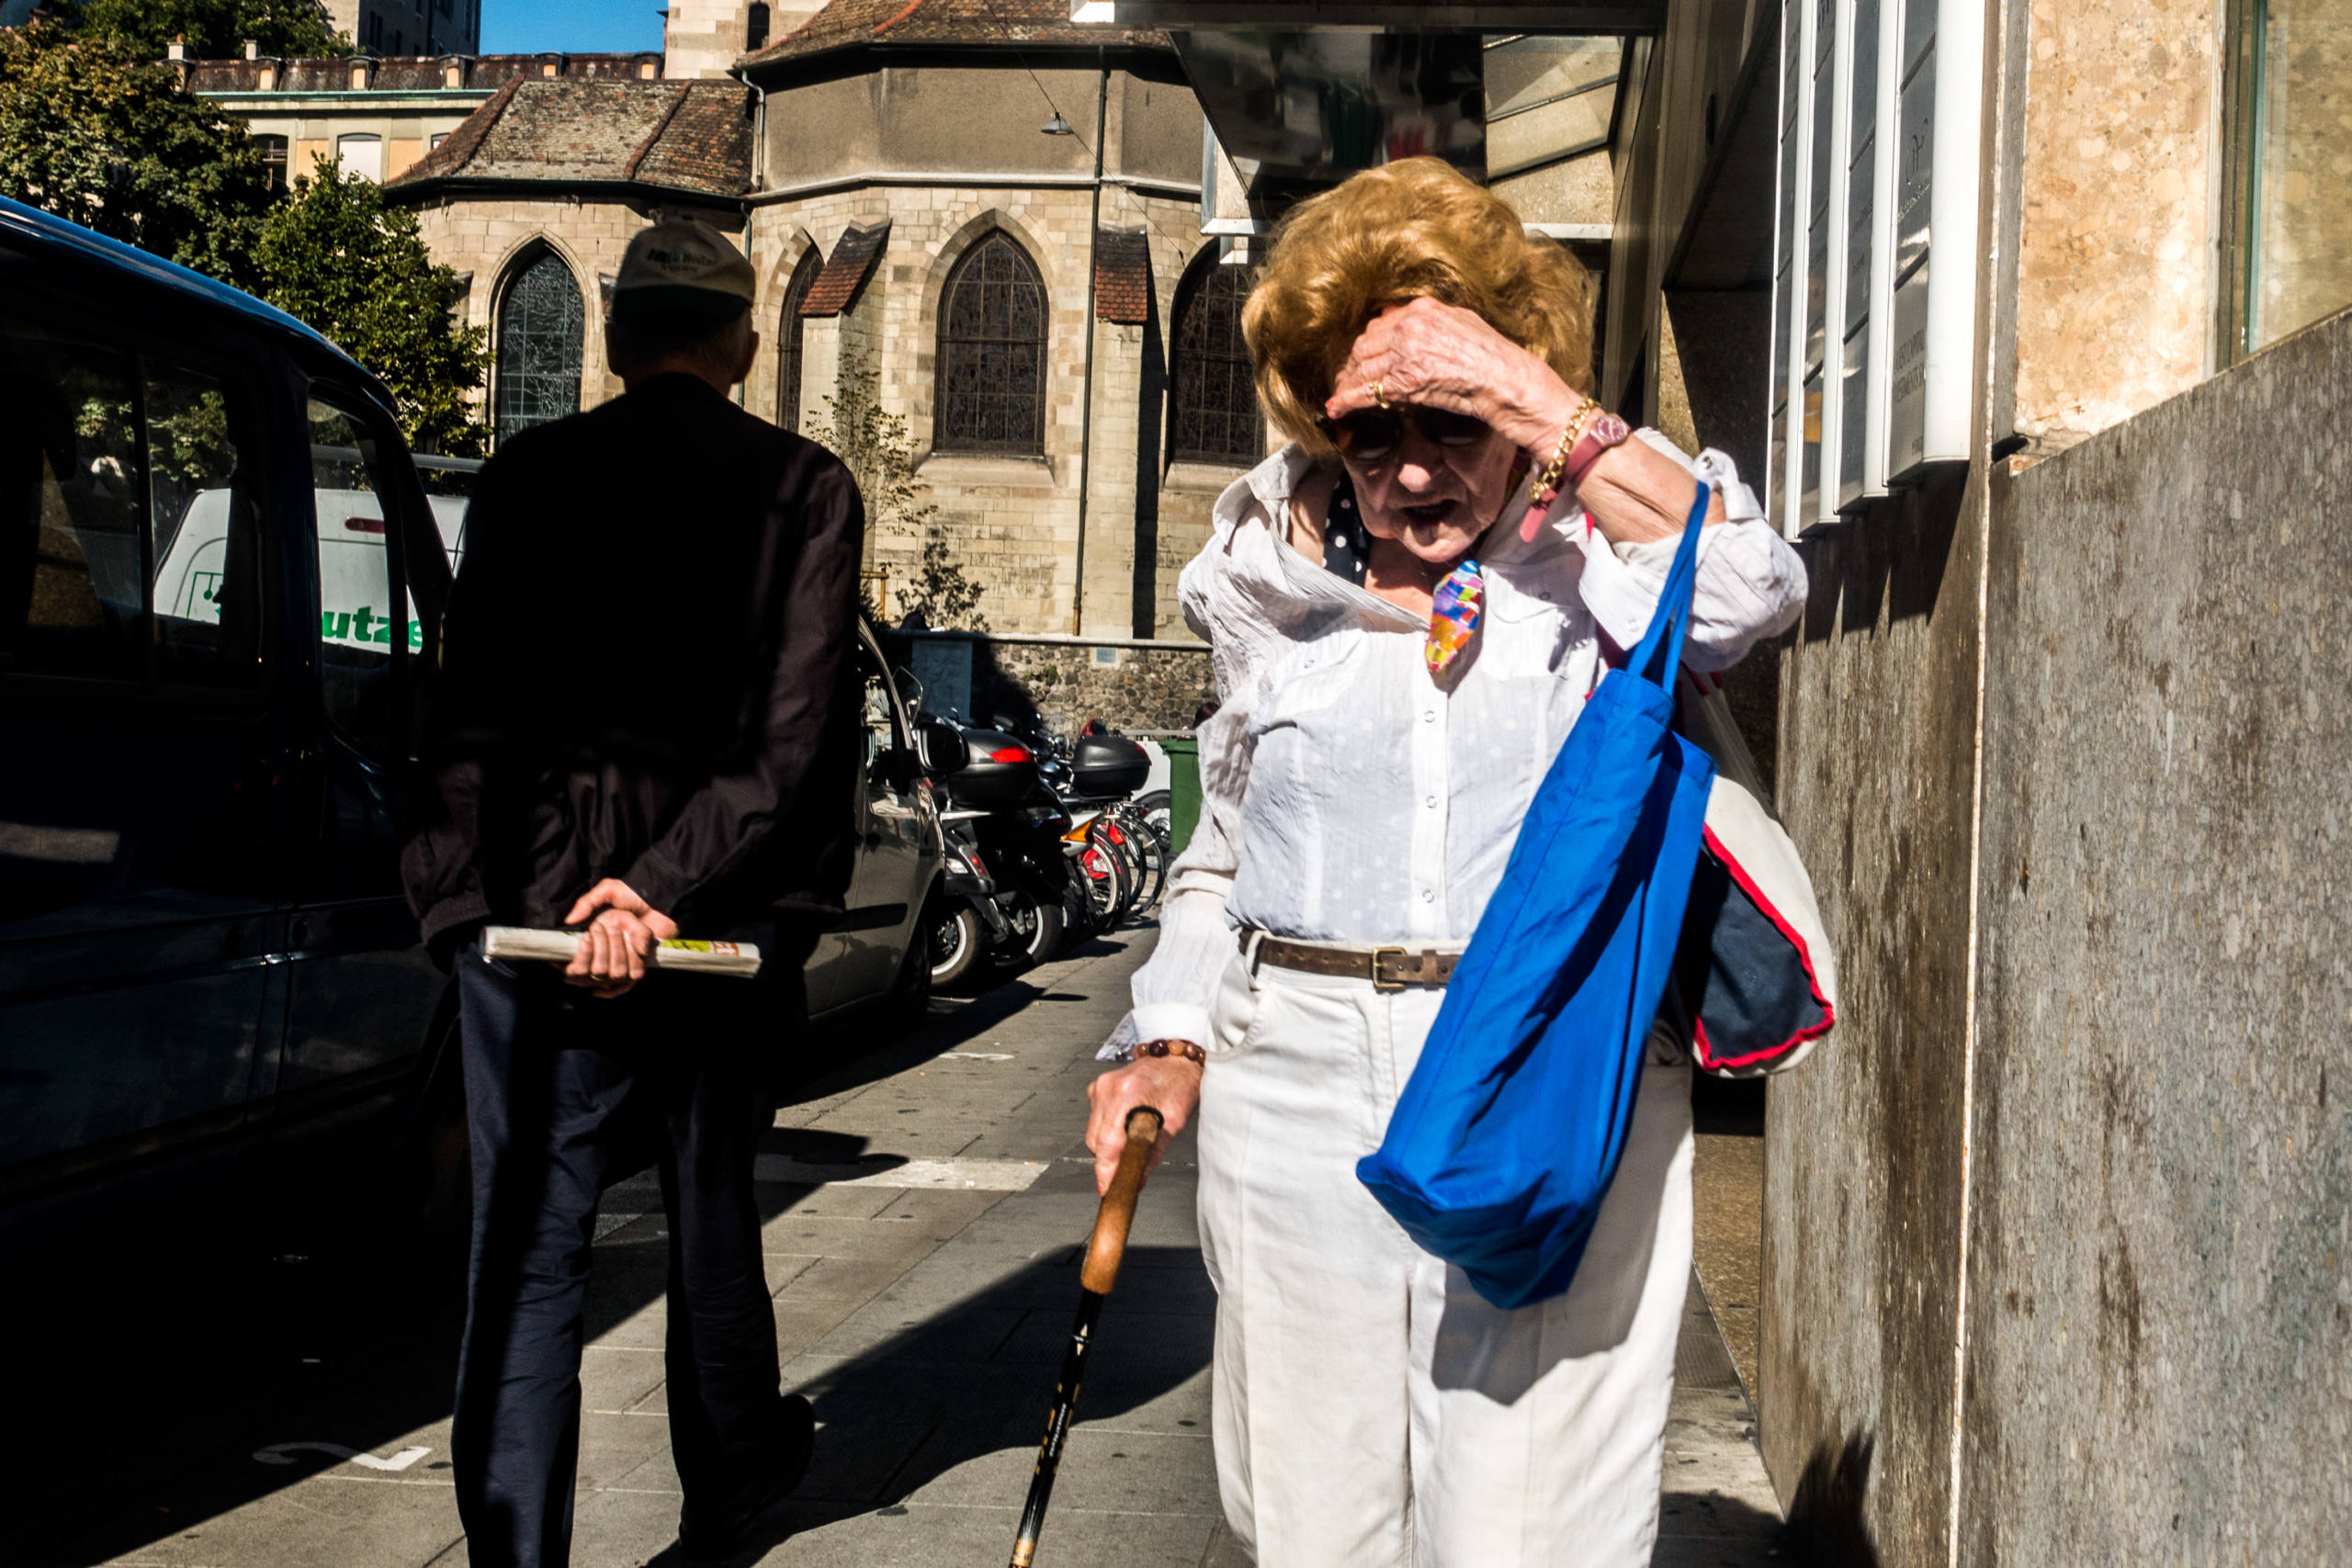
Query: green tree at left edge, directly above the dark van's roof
x,y
109,140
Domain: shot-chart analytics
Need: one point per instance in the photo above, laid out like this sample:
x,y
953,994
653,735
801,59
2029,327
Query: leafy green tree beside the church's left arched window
x,y
352,264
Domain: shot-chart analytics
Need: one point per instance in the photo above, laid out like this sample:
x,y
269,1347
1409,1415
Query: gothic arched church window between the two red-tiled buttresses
x,y
991,351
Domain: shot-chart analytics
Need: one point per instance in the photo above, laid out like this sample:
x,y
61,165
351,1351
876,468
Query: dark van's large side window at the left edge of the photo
x,y
128,532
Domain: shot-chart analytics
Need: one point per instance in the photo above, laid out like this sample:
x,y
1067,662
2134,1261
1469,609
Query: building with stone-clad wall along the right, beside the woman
x,y
2031,323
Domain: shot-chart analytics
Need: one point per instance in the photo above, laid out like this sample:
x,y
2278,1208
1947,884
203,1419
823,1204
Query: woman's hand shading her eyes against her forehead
x,y
1448,359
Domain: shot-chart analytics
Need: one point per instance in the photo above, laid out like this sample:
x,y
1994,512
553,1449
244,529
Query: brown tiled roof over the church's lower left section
x,y
667,135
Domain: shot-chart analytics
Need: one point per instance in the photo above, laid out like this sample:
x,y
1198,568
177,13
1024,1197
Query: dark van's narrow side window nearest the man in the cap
x,y
361,624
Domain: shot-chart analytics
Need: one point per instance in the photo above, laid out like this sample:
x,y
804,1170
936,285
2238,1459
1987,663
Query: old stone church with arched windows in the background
x,y
982,206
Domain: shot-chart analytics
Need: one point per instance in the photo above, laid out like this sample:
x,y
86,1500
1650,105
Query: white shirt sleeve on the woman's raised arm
x,y
1751,584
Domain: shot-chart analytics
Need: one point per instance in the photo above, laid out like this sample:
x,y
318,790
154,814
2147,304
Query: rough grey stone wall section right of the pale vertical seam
x,y
2160,1275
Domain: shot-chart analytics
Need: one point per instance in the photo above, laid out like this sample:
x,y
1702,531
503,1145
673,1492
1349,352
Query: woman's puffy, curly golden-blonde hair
x,y
1396,234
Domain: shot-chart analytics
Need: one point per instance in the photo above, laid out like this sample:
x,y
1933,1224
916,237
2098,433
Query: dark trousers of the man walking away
x,y
559,1087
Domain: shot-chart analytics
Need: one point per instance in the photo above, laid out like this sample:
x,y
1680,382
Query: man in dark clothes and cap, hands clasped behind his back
x,y
639,728
